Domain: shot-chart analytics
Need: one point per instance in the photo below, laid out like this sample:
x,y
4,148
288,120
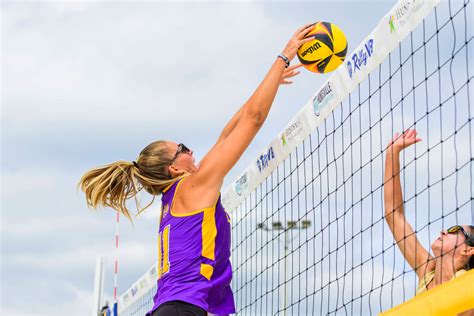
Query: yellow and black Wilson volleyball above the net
x,y
327,51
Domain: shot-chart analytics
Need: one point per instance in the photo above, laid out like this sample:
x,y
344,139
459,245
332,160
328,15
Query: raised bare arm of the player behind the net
x,y
414,253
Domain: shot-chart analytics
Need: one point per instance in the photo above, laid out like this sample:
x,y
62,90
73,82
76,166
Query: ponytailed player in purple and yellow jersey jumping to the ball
x,y
194,235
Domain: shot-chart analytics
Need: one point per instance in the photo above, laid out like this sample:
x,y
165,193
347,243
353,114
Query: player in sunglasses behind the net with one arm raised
x,y
454,248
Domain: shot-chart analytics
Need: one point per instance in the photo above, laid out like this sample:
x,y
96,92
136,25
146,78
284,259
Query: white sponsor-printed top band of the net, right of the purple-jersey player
x,y
391,30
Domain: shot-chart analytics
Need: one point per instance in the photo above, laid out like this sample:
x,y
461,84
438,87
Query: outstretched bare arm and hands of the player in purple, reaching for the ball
x,y
242,128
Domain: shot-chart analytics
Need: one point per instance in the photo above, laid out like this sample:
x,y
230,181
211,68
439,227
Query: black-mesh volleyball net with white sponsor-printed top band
x,y
308,227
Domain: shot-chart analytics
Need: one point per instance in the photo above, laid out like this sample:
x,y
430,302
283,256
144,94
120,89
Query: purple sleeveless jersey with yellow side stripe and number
x,y
194,257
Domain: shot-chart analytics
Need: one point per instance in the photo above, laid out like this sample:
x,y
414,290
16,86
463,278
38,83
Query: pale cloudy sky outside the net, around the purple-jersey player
x,y
89,83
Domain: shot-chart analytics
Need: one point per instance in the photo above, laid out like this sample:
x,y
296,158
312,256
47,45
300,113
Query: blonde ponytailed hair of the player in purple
x,y
113,184
